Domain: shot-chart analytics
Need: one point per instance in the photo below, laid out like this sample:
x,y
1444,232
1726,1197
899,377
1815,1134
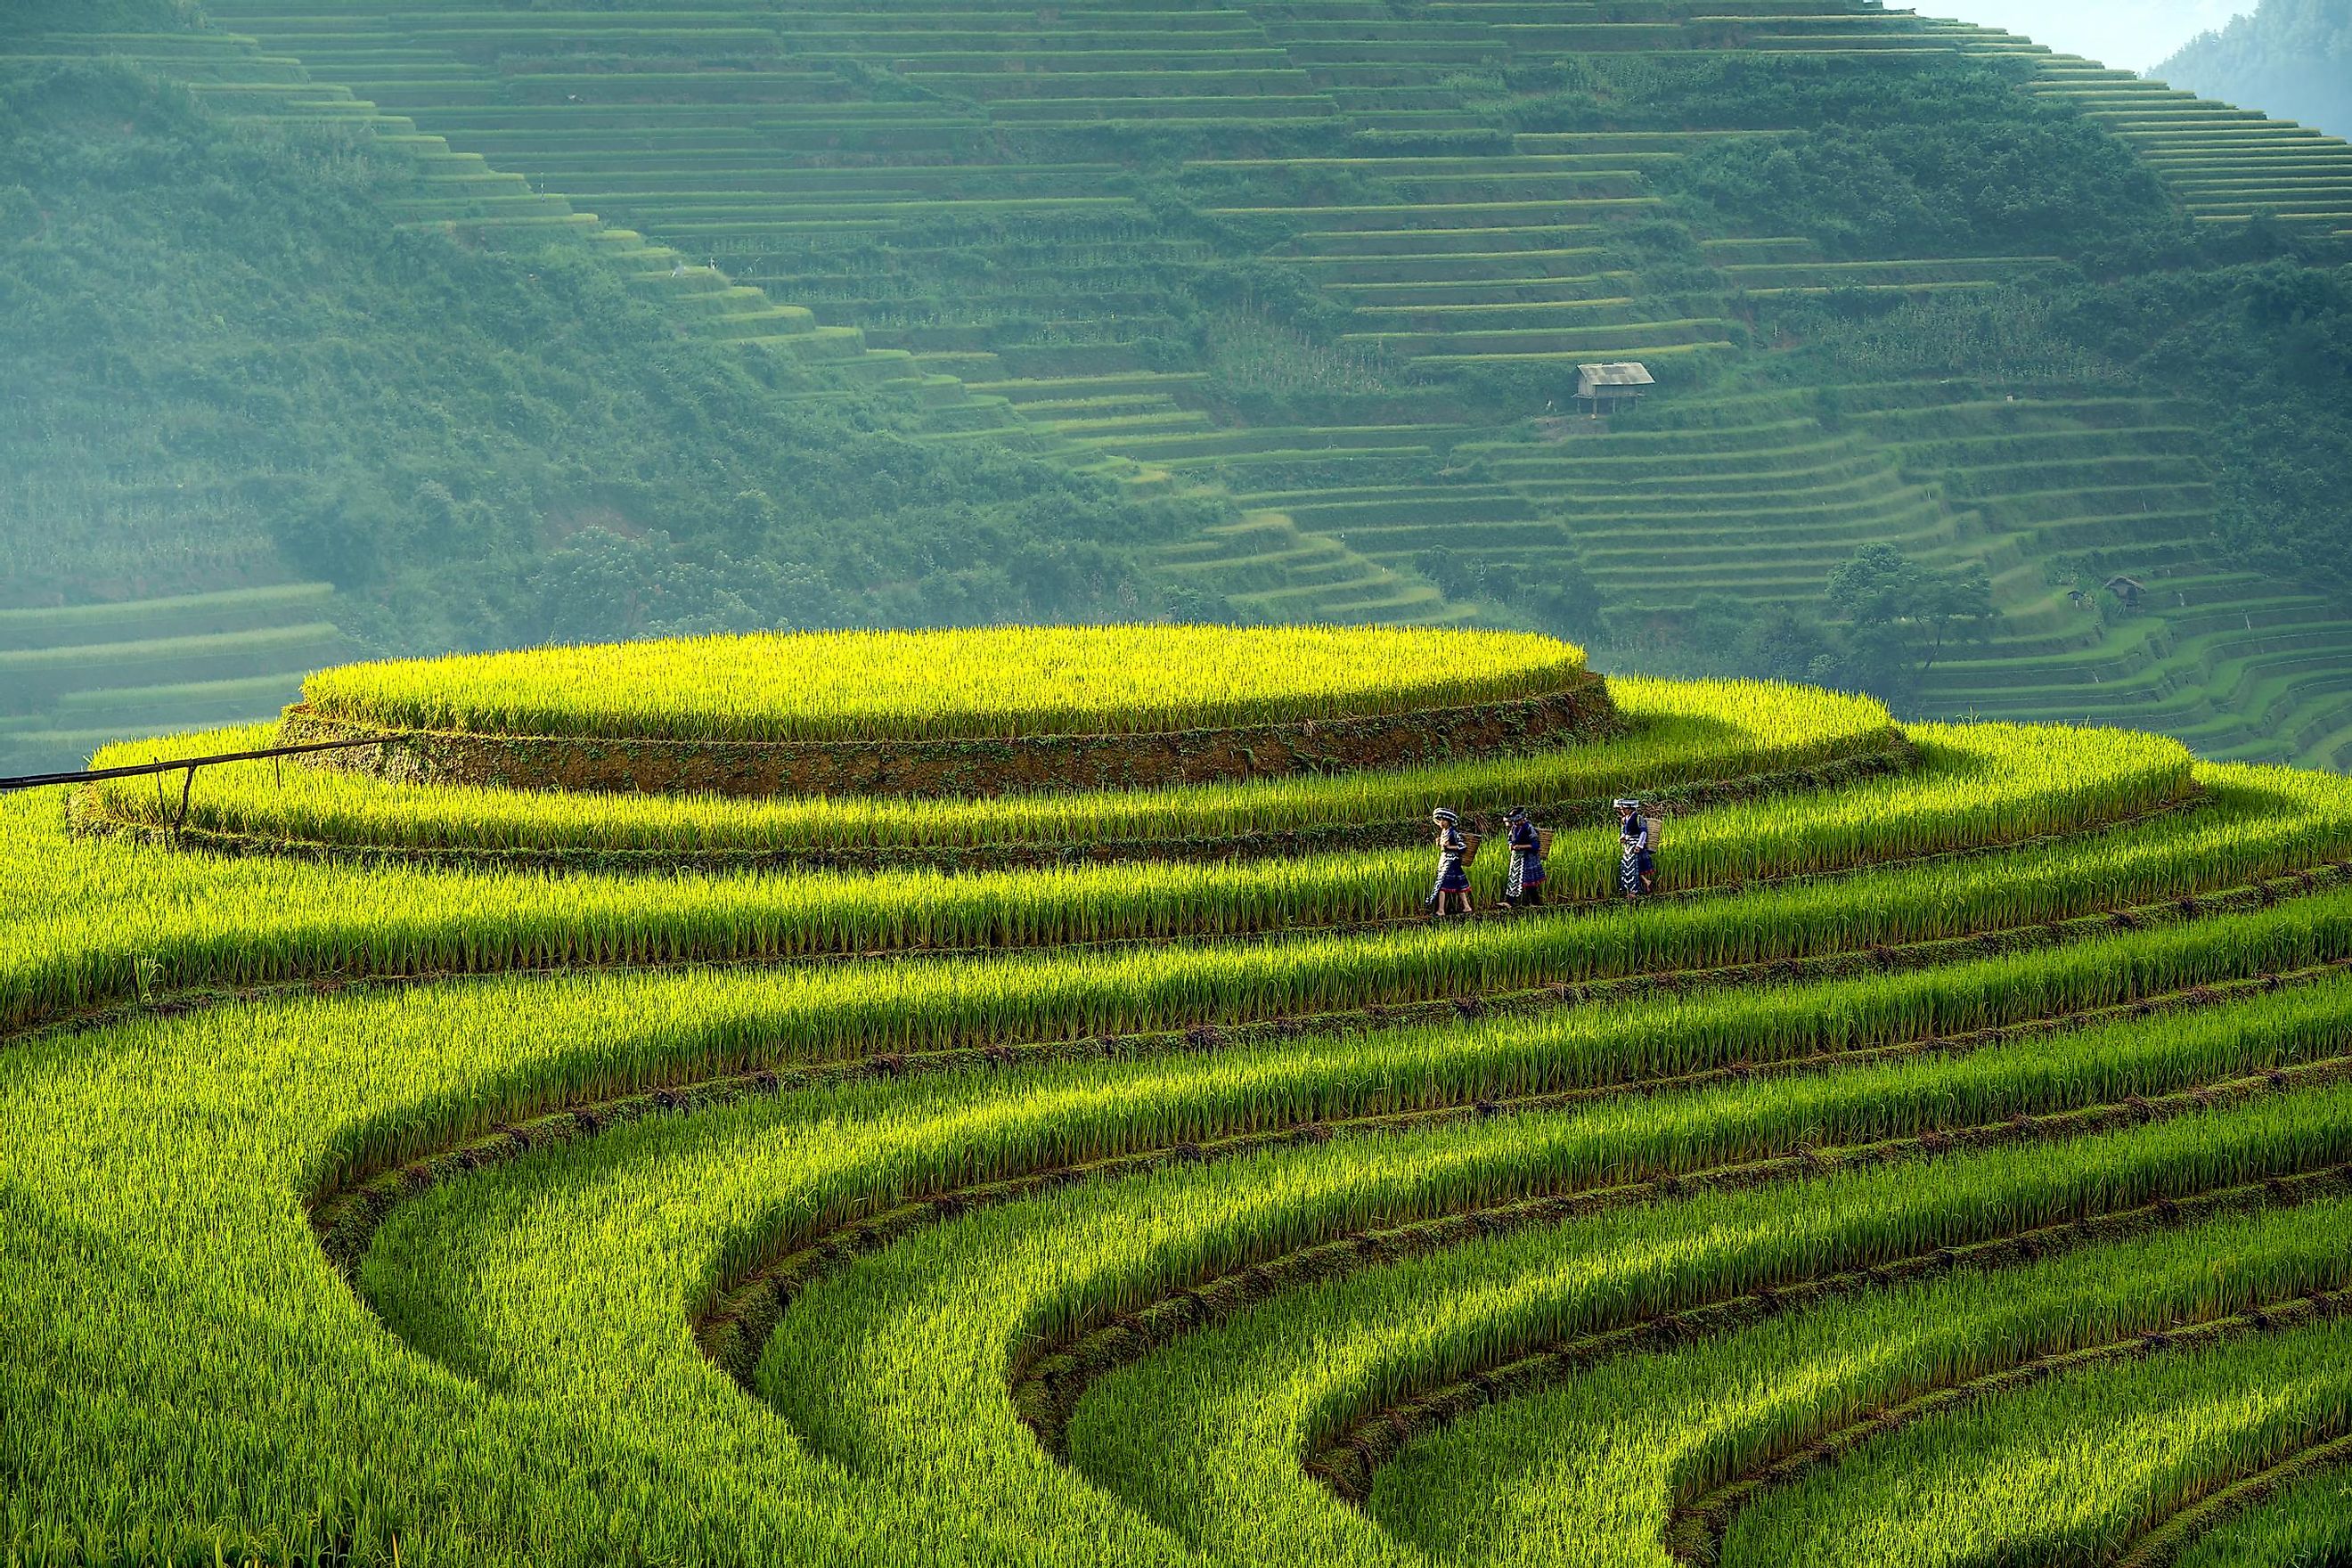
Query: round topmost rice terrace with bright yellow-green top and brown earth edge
x,y
956,713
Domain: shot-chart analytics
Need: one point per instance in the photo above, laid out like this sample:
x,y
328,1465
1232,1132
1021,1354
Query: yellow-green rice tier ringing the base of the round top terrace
x,y
1685,744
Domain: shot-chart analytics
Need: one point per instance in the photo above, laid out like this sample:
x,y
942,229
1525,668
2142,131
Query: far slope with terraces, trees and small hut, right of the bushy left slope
x,y
1342,260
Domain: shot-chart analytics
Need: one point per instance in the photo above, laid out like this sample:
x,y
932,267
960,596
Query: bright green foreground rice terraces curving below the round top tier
x,y
1949,1165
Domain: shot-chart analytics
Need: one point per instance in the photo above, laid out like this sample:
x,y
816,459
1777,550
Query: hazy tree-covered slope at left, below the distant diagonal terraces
x,y
474,445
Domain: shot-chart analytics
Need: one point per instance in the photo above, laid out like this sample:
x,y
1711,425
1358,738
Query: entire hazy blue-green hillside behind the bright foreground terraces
x,y
1986,380
